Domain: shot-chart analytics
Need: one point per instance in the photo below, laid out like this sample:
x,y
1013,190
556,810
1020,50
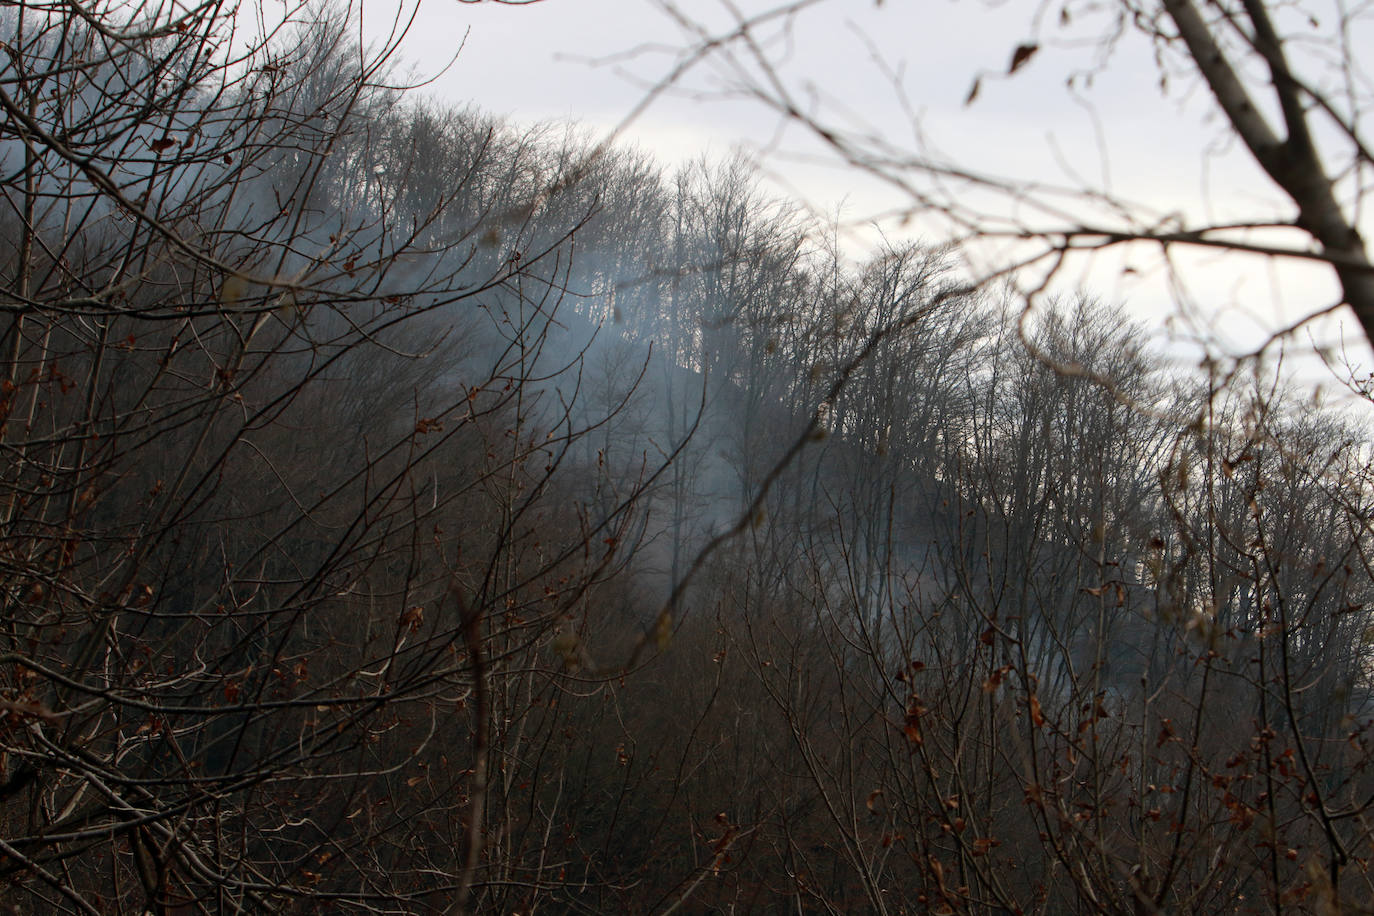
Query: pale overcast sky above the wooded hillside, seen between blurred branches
x,y
593,62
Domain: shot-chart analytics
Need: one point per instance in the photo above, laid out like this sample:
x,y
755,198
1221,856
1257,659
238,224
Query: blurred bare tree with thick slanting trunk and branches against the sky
x,y
1288,82
